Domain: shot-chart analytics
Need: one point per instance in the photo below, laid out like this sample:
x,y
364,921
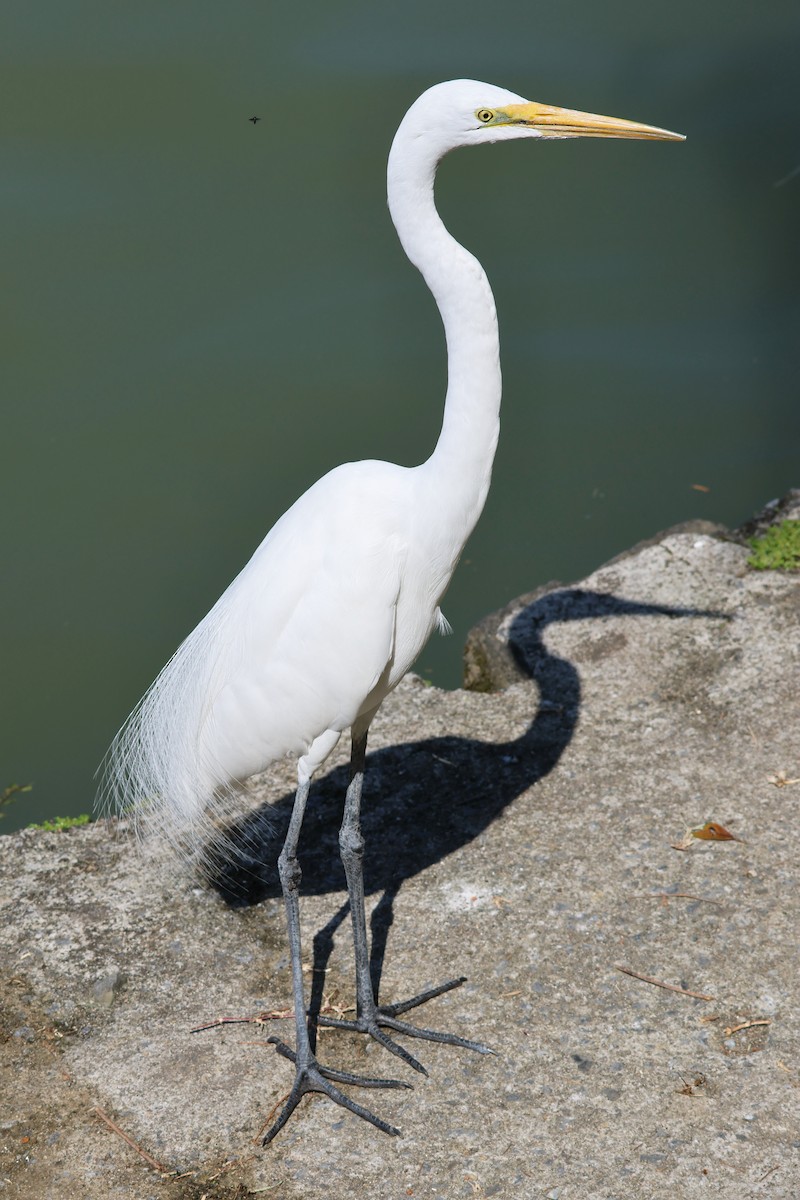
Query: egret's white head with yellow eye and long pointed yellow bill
x,y
465,112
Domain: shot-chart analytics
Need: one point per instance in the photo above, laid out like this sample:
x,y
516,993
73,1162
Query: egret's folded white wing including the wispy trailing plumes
x,y
293,649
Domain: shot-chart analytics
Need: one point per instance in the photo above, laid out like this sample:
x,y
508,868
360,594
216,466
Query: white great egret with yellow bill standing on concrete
x,y
340,598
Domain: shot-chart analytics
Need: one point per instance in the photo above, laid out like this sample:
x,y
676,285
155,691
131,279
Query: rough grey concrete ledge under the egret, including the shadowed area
x,y
522,838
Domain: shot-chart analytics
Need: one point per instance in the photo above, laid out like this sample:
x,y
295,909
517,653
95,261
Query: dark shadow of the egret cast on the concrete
x,y
423,800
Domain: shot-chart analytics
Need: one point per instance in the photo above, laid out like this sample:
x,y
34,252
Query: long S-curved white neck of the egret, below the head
x,y
470,434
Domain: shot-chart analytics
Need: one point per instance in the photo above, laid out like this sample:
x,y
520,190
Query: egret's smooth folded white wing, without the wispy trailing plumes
x,y
311,625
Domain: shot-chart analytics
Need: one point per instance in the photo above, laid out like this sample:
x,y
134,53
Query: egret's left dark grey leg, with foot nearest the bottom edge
x,y
310,1075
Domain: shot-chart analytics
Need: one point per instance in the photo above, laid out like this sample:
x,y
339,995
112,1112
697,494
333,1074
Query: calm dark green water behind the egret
x,y
202,315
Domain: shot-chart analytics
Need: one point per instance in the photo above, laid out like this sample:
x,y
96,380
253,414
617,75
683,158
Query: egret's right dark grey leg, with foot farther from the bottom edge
x,y
370,1017
